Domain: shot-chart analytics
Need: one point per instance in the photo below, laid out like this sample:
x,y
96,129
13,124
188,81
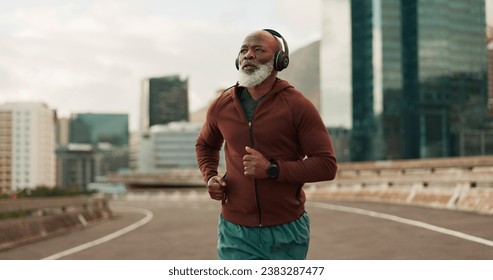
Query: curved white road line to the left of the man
x,y
148,217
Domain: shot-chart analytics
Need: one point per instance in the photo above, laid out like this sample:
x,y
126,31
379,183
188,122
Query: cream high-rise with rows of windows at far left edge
x,y
27,146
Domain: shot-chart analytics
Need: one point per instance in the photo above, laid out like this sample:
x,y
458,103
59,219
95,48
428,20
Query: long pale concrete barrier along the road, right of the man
x,y
464,183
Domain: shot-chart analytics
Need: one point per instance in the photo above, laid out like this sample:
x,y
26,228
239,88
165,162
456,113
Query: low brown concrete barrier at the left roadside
x,y
48,216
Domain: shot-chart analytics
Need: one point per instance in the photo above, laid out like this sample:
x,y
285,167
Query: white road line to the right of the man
x,y
398,219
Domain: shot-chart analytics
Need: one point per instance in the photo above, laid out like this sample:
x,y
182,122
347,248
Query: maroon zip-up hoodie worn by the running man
x,y
287,128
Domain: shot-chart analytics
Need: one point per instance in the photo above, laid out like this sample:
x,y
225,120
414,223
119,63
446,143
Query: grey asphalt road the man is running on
x,y
182,226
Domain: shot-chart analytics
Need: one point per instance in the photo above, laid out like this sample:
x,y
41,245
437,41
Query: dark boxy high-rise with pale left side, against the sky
x,y
163,100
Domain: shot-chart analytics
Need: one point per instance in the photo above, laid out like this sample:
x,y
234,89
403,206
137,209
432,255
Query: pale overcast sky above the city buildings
x,y
91,56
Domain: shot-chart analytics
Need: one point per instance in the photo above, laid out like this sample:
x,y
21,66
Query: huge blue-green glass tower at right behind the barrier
x,y
418,76
